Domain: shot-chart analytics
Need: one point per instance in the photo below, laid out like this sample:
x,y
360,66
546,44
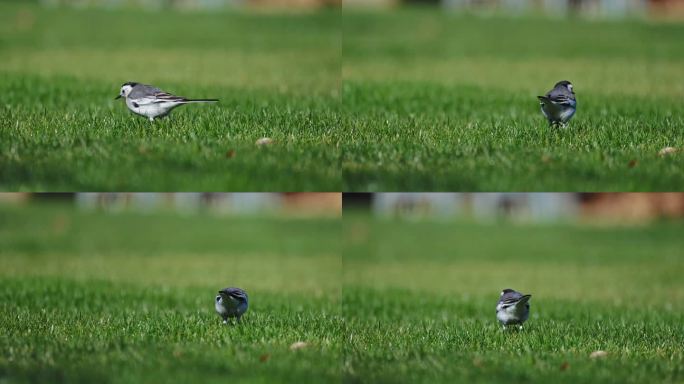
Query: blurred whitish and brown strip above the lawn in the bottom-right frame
x,y
534,207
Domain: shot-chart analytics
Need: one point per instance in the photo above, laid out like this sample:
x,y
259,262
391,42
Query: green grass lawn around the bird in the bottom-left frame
x,y
120,298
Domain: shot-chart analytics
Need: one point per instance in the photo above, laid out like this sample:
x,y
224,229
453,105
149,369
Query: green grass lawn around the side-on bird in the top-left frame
x,y
277,75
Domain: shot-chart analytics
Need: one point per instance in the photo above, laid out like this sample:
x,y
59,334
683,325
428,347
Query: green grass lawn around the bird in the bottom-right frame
x,y
419,301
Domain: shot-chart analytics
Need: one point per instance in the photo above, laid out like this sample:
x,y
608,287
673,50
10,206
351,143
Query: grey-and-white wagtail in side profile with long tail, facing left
x,y
151,102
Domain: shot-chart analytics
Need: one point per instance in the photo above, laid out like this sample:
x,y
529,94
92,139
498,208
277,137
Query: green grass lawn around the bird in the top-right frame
x,y
443,101
